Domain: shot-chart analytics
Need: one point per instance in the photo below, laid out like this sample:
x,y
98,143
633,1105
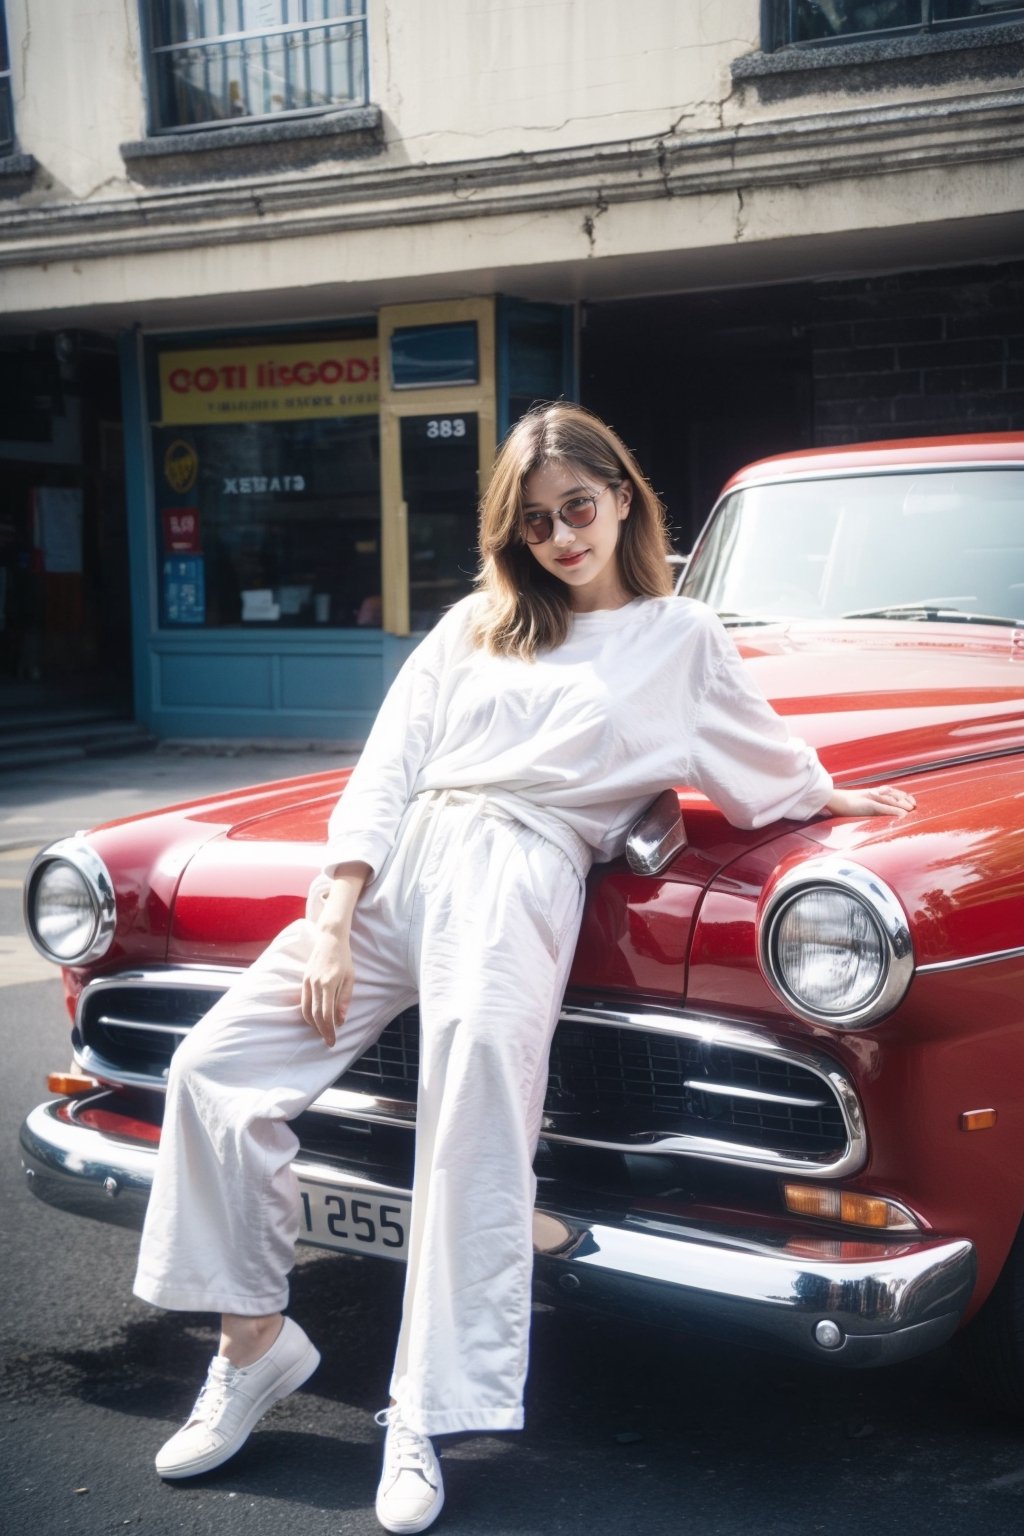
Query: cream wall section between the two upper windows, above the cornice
x,y
478,78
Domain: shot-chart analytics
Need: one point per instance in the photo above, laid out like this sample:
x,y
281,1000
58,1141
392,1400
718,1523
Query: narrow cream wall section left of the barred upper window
x,y
78,91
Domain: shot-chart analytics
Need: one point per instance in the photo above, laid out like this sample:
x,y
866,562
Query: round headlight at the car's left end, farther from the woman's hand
x,y
70,909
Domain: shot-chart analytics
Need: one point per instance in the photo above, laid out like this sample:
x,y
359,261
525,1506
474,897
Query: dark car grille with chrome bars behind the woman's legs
x,y
610,1084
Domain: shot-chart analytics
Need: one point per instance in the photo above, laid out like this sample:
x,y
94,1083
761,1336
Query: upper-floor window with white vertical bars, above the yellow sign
x,y
220,62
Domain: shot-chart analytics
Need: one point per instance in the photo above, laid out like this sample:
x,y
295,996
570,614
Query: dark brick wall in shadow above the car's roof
x,y
919,354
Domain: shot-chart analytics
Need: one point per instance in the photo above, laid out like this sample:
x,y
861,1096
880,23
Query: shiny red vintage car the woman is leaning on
x,y
787,1093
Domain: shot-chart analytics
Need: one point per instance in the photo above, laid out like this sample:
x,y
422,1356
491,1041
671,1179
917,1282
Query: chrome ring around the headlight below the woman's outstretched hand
x,y
887,916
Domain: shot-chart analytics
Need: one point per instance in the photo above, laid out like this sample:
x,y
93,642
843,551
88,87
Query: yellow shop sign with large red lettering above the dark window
x,y
292,383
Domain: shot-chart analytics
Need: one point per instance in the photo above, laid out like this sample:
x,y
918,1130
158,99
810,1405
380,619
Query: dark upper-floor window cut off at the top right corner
x,y
851,21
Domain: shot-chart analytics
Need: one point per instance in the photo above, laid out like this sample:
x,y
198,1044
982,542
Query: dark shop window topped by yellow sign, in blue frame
x,y
266,477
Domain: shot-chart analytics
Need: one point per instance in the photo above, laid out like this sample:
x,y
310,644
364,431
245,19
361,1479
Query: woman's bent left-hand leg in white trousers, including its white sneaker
x,y
223,1216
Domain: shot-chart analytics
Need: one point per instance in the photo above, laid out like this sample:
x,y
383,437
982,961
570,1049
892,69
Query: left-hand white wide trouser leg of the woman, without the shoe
x,y
223,1214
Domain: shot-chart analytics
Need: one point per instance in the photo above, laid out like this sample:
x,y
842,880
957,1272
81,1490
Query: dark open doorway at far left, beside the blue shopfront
x,y
65,624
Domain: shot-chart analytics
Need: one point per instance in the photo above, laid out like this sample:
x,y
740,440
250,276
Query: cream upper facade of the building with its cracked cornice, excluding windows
x,y
696,199
